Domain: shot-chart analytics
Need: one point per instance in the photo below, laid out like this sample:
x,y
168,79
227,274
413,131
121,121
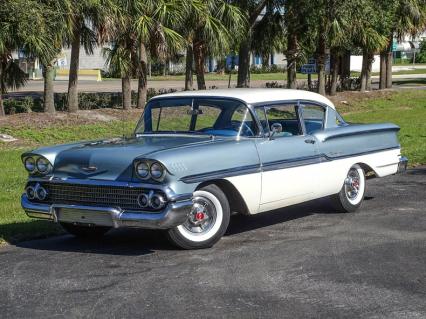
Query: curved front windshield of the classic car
x,y
197,116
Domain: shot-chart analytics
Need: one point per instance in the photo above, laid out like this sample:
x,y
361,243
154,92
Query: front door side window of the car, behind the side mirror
x,y
286,116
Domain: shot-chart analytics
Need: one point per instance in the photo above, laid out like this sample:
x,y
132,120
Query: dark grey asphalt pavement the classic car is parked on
x,y
300,262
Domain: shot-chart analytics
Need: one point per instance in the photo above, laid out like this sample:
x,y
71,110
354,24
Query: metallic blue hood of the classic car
x,y
113,159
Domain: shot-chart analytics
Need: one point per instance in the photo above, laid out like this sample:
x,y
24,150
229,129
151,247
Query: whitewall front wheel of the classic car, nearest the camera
x,y
207,221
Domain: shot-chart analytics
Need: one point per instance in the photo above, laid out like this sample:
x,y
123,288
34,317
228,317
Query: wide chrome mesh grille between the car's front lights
x,y
125,198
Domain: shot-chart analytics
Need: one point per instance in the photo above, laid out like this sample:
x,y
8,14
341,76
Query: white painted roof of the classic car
x,y
252,96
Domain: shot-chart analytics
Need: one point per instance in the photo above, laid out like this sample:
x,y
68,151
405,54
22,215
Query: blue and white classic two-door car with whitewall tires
x,y
196,157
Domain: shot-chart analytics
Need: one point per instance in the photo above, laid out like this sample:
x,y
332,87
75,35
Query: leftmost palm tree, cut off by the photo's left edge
x,y
22,27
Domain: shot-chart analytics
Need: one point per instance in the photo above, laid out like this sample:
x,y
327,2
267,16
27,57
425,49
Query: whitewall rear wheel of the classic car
x,y
350,197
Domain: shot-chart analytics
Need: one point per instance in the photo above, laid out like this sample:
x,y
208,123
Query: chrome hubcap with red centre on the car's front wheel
x,y
202,216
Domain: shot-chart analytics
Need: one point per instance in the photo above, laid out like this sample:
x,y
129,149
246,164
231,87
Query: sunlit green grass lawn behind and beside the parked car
x,y
406,108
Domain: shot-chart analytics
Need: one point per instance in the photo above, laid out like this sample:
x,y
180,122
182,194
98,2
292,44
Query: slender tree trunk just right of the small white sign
x,y
73,76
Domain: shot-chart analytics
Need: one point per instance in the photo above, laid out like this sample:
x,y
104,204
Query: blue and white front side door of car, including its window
x,y
287,158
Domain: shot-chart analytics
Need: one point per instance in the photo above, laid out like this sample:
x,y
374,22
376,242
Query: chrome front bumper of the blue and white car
x,y
173,215
